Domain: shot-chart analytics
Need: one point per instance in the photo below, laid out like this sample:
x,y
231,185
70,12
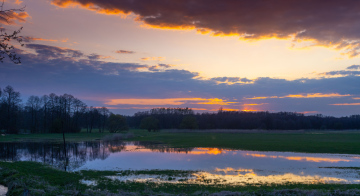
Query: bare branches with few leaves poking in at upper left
x,y
7,49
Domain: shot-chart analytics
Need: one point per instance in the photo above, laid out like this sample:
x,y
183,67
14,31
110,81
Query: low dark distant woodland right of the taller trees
x,y
185,118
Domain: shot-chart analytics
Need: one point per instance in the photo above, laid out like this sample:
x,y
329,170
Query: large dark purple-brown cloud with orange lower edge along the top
x,y
331,23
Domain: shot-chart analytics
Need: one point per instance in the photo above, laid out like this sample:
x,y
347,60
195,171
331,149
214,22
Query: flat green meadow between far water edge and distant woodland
x,y
311,142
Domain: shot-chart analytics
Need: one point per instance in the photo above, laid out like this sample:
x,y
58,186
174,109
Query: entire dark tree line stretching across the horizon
x,y
65,113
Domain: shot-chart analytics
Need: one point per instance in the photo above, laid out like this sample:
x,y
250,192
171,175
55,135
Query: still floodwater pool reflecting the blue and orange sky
x,y
210,164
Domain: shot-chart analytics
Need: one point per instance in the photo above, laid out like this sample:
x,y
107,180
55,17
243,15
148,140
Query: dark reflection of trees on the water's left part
x,y
77,153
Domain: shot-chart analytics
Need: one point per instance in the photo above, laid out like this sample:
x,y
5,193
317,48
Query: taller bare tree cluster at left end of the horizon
x,y
53,114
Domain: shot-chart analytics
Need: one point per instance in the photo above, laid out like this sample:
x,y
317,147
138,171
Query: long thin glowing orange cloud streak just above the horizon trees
x,y
171,101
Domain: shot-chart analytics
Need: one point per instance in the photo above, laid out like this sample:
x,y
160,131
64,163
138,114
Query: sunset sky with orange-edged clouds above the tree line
x,y
134,55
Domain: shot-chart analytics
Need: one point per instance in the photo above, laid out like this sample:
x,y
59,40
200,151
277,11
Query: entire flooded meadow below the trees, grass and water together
x,y
138,162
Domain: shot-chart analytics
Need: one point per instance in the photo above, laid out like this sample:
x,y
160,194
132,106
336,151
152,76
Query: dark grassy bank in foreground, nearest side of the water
x,y
40,179
